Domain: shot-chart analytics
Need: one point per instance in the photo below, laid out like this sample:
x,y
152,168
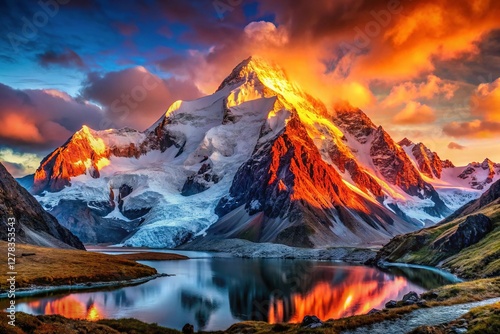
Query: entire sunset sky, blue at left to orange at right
x,y
427,70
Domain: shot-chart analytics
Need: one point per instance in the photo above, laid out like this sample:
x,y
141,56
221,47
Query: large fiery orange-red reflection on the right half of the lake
x,y
328,300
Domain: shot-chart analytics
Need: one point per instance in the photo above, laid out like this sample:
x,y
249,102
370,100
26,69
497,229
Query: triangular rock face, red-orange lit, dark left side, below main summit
x,y
293,197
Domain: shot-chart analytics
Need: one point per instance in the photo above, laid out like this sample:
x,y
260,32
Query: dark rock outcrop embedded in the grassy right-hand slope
x,y
471,231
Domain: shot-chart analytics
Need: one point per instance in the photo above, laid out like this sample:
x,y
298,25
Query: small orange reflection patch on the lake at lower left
x,y
70,307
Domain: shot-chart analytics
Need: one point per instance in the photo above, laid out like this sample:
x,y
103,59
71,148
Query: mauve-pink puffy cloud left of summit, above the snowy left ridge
x,y
135,97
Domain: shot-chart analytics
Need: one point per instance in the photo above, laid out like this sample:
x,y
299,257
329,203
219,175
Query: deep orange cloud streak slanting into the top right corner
x,y
426,31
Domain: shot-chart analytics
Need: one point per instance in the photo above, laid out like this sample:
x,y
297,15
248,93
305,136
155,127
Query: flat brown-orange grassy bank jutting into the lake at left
x,y
51,266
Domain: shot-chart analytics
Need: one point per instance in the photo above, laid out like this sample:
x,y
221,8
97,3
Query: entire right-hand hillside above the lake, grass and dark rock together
x,y
466,243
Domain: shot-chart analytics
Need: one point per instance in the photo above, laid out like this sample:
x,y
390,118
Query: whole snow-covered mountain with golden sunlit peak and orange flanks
x,y
187,171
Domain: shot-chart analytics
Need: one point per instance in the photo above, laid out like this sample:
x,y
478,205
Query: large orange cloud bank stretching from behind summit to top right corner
x,y
330,46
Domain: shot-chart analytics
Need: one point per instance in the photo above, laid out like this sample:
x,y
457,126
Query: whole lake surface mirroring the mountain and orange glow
x,y
213,293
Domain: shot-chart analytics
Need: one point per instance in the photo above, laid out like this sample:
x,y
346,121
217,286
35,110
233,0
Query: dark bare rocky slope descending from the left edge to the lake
x,y
33,224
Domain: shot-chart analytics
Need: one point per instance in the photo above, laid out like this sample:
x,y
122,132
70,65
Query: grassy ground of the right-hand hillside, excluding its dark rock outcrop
x,y
479,260
